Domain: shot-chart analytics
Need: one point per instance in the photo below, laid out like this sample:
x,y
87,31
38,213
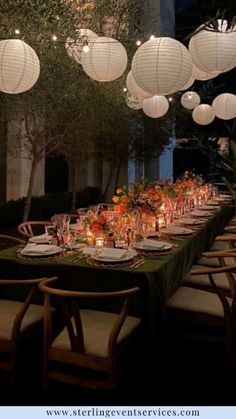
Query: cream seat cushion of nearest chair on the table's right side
x,y
199,301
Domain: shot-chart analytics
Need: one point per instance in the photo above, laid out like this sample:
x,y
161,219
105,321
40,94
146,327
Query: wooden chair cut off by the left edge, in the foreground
x,y
17,321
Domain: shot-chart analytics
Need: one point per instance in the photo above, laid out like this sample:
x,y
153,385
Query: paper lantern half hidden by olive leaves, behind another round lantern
x,y
74,47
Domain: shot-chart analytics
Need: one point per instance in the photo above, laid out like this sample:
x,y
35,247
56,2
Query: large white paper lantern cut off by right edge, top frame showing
x,y
213,50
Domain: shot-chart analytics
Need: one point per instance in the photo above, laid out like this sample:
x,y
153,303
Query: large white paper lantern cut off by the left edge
x,y
19,66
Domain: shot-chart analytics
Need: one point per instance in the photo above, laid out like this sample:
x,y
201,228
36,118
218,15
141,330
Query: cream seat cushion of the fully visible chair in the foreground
x,y
97,327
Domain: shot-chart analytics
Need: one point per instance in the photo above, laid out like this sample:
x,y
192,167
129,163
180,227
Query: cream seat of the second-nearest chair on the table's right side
x,y
220,279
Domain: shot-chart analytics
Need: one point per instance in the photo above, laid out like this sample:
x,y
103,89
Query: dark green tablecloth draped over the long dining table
x,y
157,279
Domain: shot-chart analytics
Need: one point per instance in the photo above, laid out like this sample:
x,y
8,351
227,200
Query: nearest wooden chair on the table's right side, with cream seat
x,y
210,316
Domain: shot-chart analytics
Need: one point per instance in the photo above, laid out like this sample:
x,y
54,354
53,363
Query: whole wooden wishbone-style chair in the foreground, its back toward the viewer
x,y
88,347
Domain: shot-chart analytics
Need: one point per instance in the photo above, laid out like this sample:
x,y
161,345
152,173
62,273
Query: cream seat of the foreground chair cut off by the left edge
x,y
8,312
